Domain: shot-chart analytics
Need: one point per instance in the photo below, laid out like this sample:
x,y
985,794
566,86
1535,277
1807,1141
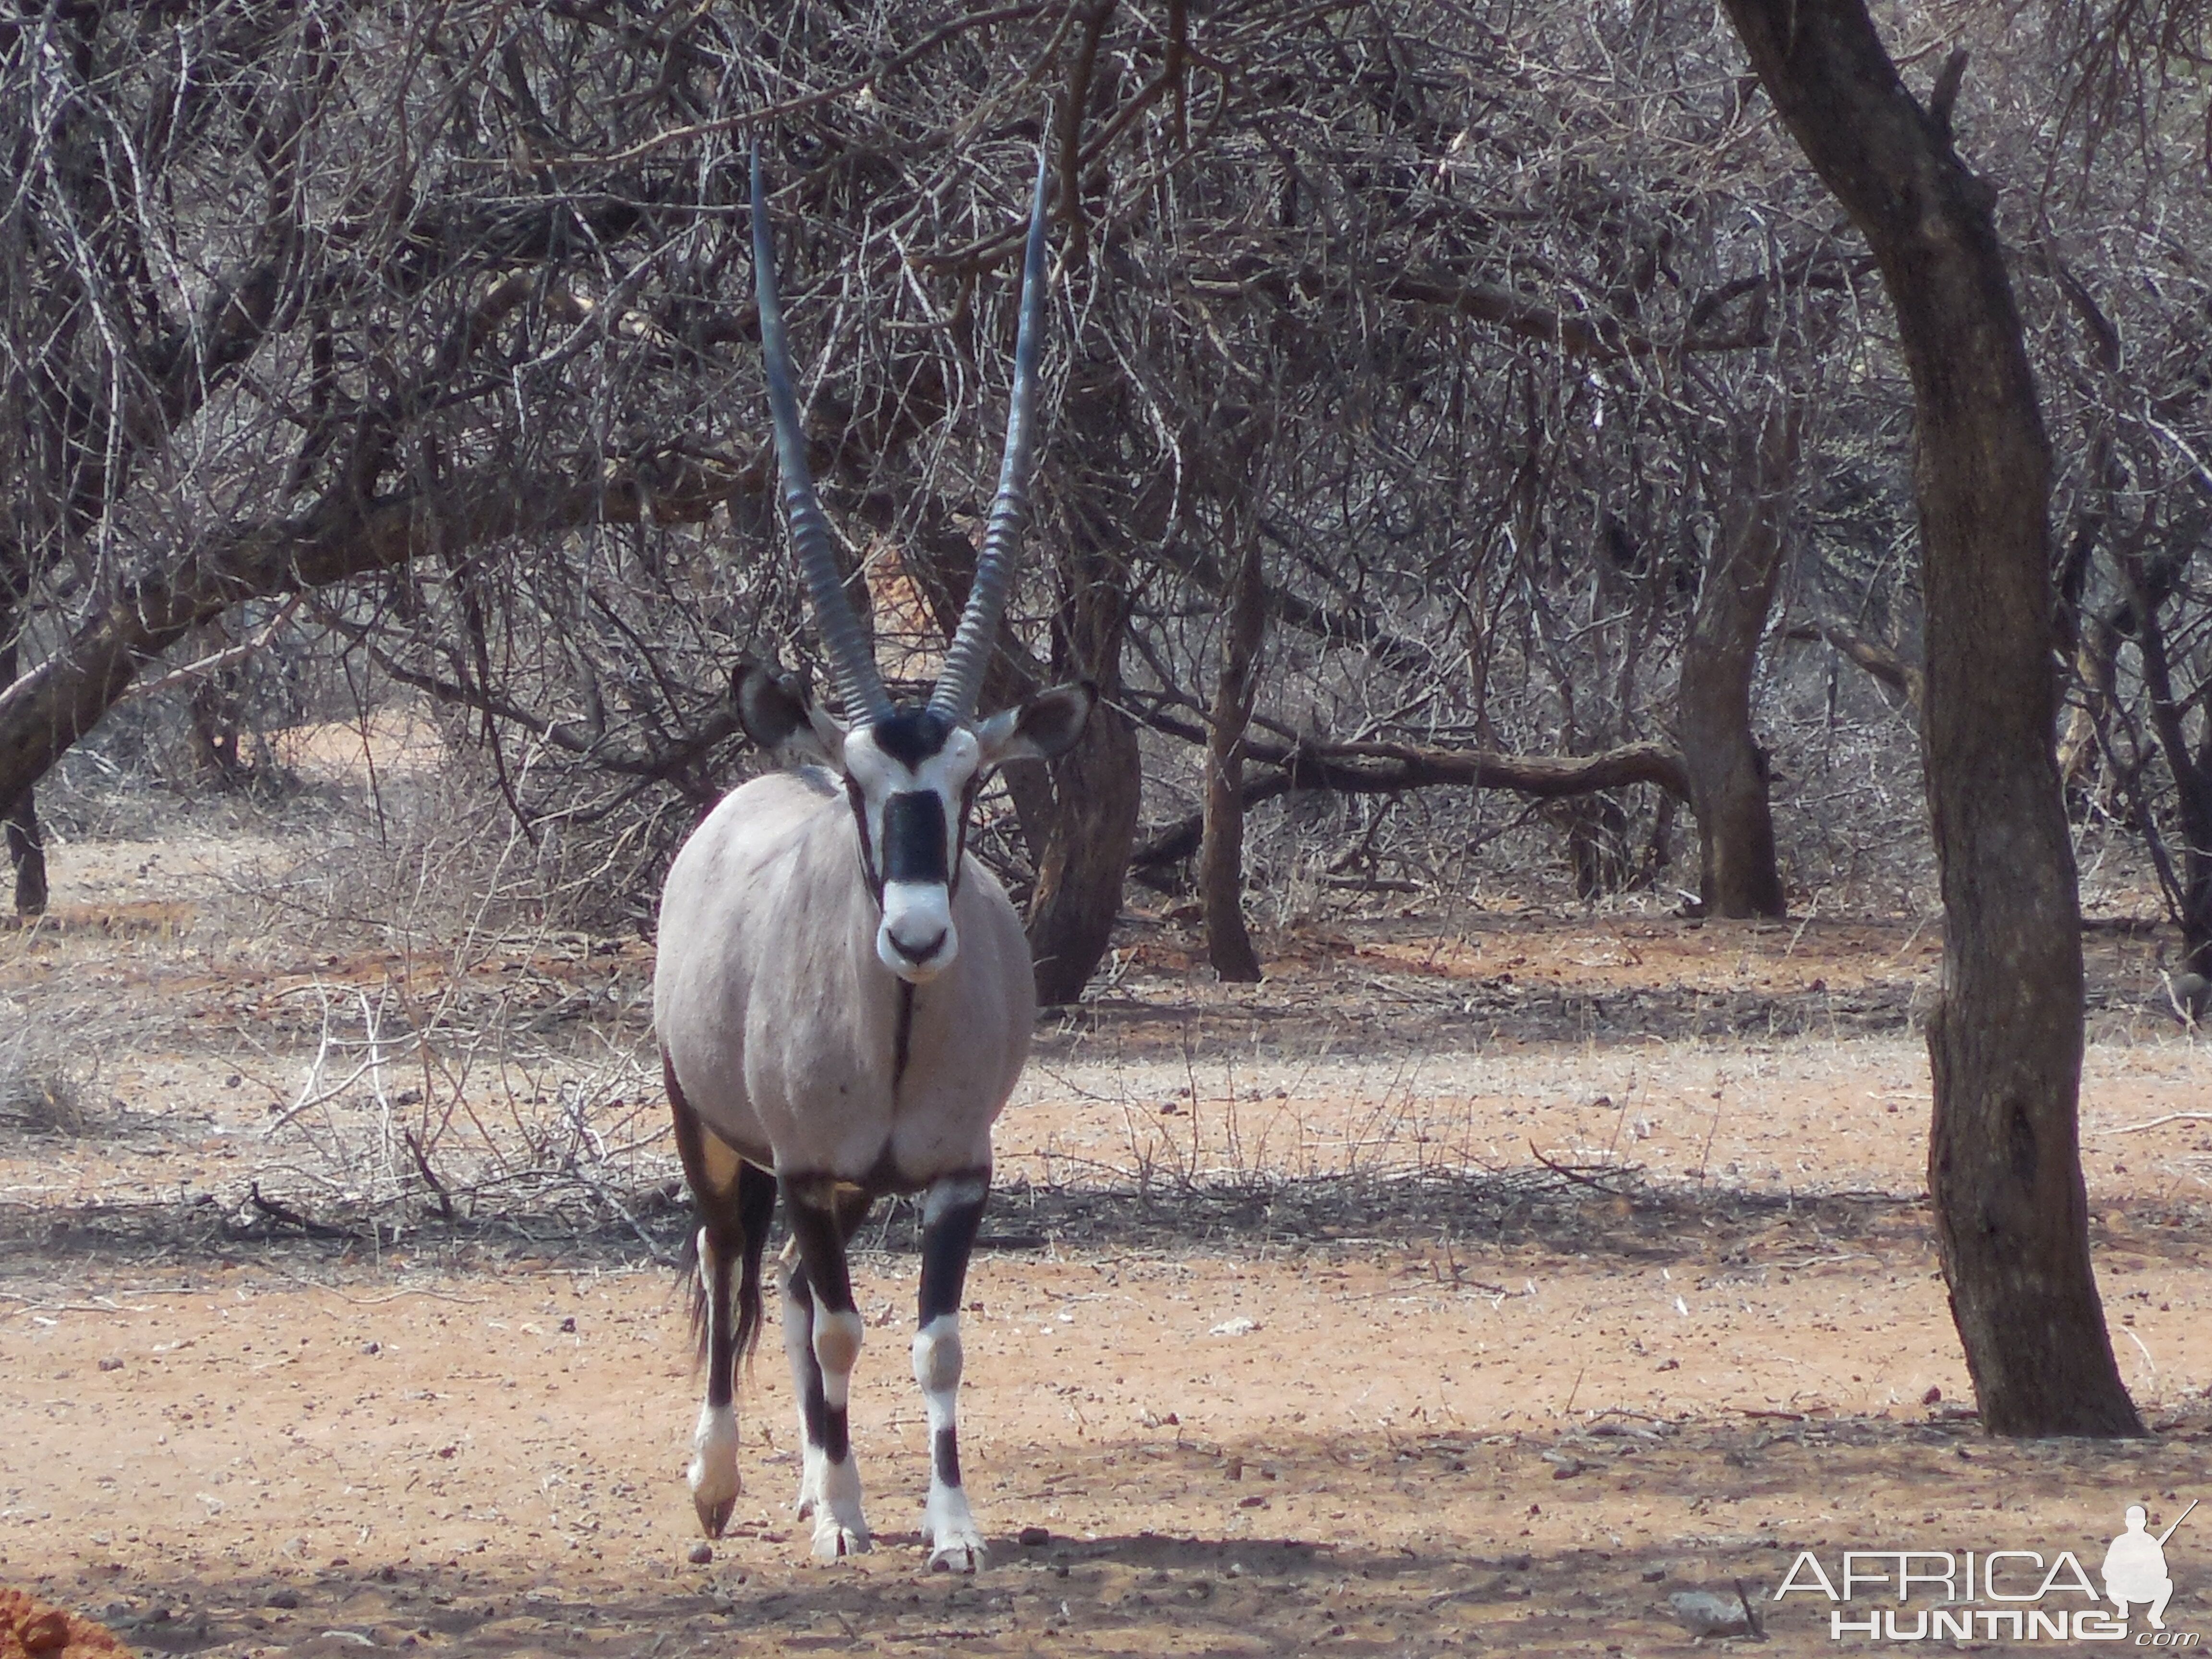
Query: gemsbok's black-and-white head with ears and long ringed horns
x,y
910,771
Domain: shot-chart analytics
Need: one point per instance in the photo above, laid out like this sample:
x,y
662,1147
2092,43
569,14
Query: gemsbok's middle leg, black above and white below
x,y
822,1333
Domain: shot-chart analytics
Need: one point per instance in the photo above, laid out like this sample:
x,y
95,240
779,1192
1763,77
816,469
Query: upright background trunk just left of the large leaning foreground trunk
x,y
1729,771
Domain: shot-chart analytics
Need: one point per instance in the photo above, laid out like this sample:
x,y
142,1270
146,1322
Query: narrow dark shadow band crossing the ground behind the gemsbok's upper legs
x,y
1605,1215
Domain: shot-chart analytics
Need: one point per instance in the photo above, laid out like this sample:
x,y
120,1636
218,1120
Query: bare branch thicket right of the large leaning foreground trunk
x,y
2116,291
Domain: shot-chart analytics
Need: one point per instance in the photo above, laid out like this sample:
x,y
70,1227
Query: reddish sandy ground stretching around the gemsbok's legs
x,y
1512,1282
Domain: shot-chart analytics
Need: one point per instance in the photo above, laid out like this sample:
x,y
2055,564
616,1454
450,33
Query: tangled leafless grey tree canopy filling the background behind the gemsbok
x,y
410,351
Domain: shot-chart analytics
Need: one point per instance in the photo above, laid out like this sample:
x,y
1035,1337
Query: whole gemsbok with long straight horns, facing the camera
x,y
844,994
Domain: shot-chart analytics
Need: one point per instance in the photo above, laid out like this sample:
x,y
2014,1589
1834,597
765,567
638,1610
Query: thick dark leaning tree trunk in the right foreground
x,y
2005,1041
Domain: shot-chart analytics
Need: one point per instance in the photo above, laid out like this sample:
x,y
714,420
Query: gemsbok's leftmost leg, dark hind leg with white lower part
x,y
735,1207
